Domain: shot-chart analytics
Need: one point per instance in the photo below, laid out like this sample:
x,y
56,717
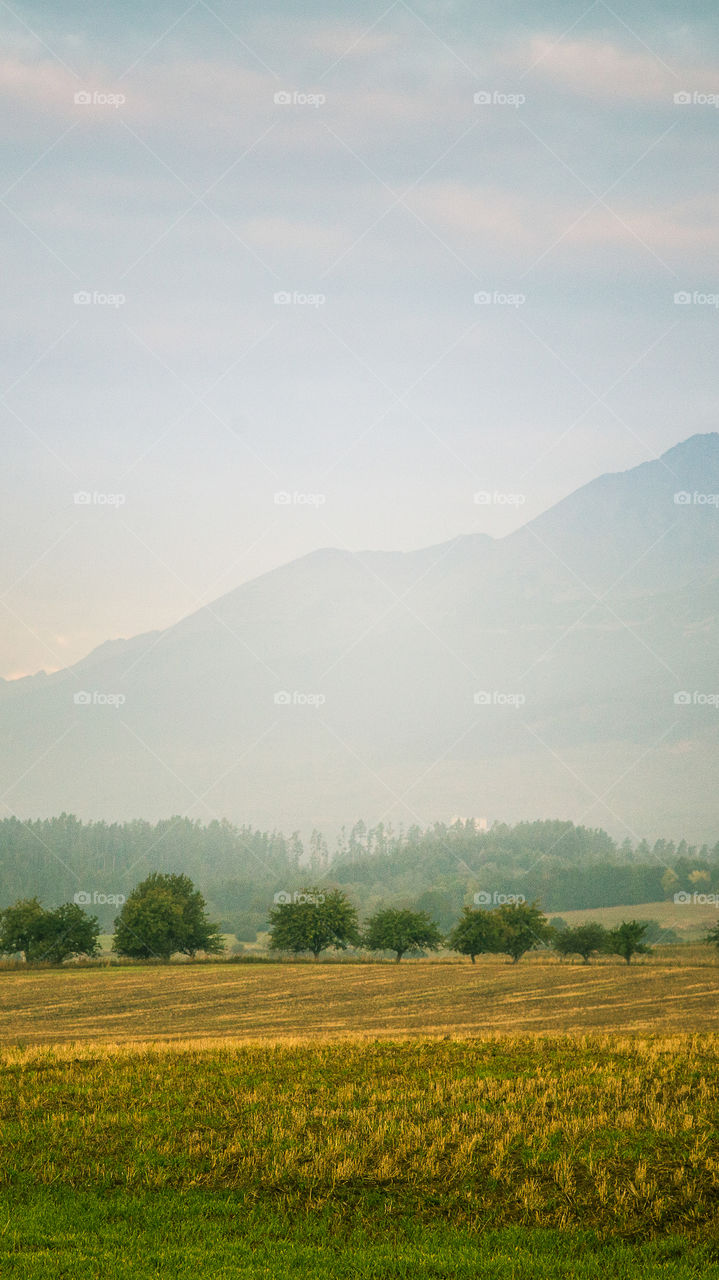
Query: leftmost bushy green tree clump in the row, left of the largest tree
x,y
42,935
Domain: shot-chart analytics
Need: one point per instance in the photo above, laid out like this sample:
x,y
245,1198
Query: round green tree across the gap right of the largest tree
x,y
314,922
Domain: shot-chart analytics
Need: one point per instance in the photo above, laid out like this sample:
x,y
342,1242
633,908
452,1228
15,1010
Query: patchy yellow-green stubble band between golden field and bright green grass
x,y
542,1132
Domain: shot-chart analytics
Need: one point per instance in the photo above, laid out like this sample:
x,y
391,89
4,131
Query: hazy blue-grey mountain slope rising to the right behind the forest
x,y
528,676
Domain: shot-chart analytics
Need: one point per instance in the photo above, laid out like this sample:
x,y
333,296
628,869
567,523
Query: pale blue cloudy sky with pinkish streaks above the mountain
x,y
283,277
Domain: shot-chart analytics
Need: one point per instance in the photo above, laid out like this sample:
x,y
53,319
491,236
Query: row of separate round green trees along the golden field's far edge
x,y
166,915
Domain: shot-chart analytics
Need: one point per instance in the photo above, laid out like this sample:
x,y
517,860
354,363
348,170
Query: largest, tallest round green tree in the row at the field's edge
x,y
166,915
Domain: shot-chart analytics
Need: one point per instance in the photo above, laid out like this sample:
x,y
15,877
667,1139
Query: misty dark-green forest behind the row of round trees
x,y
434,870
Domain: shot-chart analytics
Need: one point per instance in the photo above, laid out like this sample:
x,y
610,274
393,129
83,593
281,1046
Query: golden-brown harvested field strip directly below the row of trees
x,y
675,991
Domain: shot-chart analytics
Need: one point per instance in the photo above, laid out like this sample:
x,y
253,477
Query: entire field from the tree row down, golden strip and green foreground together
x,y
369,1121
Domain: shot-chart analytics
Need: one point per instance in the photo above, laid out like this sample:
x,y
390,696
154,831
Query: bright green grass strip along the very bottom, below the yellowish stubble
x,y
200,1236
